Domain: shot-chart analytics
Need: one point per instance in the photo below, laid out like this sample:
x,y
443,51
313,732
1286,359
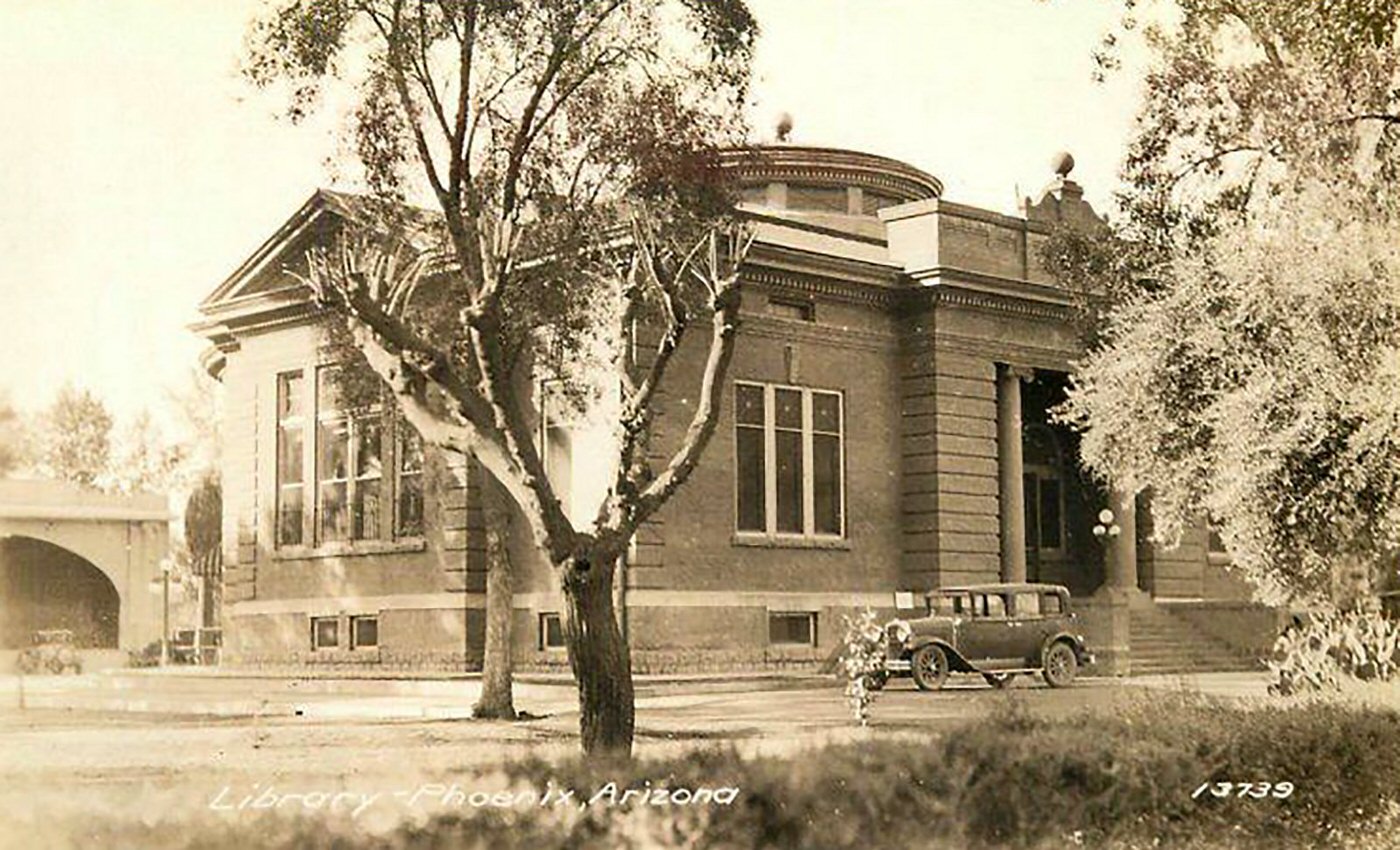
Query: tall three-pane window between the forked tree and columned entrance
x,y
790,467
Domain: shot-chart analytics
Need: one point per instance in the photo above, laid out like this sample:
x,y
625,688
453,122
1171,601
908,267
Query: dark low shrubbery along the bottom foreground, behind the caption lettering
x,y
1114,779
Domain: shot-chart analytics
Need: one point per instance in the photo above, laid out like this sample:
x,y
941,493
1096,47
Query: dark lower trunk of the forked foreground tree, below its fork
x,y
598,657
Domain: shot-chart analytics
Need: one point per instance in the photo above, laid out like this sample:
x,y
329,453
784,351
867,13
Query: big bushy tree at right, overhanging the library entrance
x,y
1251,370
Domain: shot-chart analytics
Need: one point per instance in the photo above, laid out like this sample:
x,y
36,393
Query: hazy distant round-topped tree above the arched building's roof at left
x,y
75,438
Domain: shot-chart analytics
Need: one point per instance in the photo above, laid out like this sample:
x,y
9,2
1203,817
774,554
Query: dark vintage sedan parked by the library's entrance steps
x,y
996,631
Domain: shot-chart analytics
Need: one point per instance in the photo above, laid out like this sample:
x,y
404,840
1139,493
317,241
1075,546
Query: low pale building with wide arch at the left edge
x,y
80,561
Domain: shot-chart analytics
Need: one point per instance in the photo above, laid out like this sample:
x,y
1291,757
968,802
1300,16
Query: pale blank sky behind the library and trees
x,y
138,169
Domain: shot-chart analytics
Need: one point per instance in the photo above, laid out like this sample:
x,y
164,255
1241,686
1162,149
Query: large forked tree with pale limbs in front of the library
x,y
570,152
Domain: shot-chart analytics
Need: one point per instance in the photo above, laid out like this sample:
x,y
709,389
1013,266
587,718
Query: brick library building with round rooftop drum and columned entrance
x,y
885,431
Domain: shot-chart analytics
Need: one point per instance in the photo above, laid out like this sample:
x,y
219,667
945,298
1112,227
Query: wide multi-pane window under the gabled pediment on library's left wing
x,y
362,478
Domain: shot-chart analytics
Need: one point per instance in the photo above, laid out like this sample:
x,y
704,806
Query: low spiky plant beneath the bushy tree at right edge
x,y
1333,646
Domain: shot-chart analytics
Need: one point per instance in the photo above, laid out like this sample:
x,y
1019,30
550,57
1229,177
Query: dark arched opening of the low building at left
x,y
44,586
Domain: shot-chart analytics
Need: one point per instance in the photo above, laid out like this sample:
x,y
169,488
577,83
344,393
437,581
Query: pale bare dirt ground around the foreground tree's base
x,y
59,768
